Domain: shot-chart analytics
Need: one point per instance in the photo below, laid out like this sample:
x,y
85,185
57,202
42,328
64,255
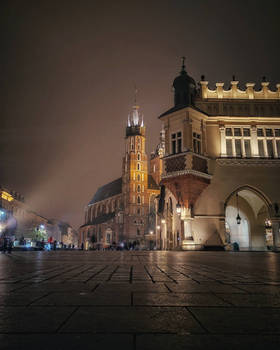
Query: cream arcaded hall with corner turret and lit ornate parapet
x,y
221,167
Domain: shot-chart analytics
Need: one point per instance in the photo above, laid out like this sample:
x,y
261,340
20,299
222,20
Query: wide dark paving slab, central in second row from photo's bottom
x,y
132,319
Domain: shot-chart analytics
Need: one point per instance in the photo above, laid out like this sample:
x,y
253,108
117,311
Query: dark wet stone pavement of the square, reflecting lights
x,y
139,300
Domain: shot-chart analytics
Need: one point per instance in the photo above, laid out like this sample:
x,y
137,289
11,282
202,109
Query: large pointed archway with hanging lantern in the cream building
x,y
247,219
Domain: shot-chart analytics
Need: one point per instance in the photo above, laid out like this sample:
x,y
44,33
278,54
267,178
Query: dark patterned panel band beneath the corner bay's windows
x,y
185,163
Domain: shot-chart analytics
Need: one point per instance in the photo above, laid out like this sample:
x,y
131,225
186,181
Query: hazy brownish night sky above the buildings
x,y
67,76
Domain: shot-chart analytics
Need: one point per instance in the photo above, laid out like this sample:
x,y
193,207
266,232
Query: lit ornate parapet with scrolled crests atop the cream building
x,y
235,93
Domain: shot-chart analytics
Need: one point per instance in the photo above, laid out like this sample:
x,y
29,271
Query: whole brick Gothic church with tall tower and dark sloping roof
x,y
123,211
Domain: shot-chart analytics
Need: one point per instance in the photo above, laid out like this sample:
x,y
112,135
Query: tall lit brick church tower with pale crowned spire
x,y
135,178
